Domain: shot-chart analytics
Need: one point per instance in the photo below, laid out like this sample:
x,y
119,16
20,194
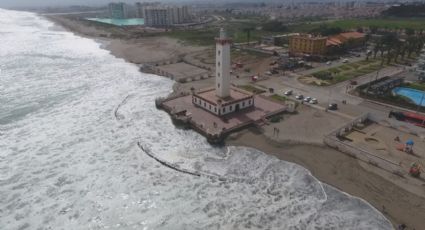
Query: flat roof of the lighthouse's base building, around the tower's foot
x,y
236,95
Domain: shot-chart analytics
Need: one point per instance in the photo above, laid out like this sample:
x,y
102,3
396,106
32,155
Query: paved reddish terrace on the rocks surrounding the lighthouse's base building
x,y
215,127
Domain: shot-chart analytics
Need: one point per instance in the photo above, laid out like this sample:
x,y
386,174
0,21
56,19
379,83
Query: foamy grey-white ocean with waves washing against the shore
x,y
79,127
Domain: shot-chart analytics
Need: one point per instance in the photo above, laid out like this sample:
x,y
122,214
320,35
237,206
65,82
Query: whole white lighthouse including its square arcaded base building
x,y
223,99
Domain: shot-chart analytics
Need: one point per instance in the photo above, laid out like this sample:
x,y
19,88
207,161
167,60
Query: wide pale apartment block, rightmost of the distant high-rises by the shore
x,y
159,16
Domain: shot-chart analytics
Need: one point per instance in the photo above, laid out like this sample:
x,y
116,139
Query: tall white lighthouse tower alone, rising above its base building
x,y
222,65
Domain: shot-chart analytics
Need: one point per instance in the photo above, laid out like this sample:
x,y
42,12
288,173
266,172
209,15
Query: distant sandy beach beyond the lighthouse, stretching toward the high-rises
x,y
125,43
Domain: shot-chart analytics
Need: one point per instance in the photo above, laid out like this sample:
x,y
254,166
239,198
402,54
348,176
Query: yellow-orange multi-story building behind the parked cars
x,y
307,44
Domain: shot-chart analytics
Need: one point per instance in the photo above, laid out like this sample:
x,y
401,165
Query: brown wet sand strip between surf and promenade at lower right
x,y
344,173
